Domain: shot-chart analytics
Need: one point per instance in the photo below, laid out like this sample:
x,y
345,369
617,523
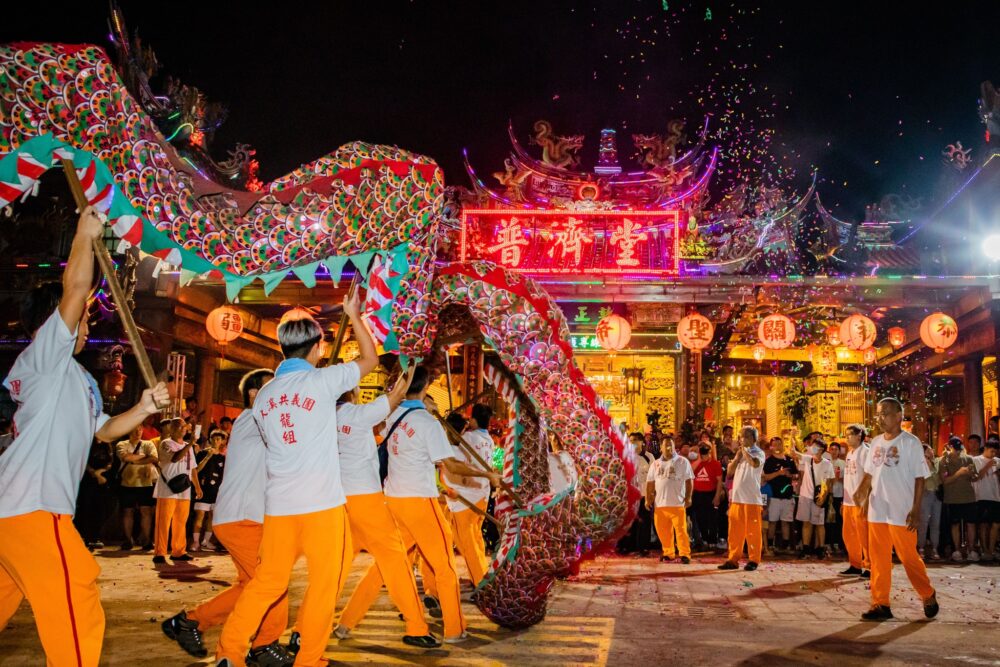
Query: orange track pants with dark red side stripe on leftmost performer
x,y
42,558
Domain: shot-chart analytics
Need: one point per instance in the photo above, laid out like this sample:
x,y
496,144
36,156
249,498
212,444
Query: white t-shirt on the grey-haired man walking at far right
x,y
894,466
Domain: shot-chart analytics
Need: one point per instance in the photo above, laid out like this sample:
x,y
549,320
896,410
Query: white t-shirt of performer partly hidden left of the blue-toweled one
x,y
241,496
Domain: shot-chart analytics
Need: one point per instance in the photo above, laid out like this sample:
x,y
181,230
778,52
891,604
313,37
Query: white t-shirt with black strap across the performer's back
x,y
414,447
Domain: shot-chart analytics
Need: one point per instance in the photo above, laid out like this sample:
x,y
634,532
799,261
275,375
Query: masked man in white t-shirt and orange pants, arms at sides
x,y
669,485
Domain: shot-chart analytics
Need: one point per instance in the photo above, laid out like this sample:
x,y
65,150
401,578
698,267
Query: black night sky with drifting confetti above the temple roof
x,y
868,93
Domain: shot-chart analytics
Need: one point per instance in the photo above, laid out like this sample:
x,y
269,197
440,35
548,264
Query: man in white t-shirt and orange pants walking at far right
x,y
892,489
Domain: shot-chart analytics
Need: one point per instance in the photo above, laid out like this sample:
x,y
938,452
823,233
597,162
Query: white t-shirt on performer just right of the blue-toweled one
x,y
358,449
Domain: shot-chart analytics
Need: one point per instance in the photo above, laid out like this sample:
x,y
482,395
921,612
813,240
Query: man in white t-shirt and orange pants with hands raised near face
x,y
746,502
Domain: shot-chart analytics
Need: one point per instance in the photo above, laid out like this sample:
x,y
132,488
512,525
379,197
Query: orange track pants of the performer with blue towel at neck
x,y
324,538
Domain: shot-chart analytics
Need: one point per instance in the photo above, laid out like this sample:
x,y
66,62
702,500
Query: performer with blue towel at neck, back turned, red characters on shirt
x,y
304,510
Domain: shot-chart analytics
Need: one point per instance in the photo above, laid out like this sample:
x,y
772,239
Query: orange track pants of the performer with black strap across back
x,y
421,522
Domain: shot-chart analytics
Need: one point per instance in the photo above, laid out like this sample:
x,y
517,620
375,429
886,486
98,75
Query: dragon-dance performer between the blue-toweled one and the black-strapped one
x,y
372,526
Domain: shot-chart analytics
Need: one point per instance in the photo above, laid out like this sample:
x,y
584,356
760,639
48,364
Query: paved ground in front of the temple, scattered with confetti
x,y
618,611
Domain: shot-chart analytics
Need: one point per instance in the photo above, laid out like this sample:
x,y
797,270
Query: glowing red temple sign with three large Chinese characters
x,y
552,242
